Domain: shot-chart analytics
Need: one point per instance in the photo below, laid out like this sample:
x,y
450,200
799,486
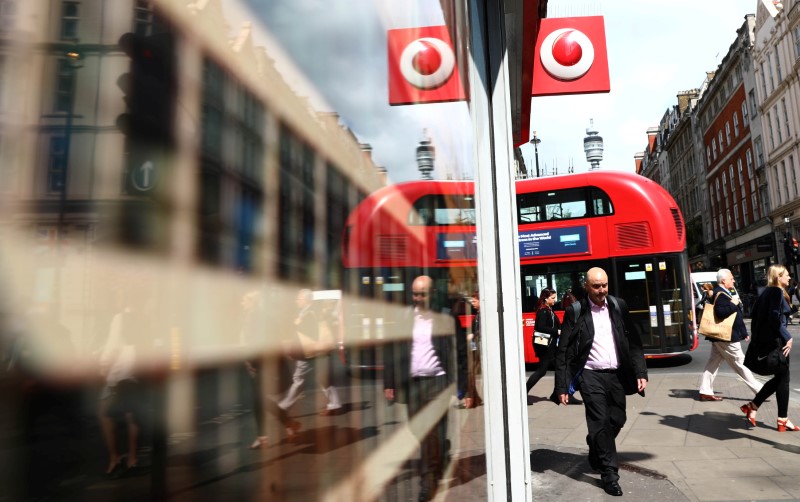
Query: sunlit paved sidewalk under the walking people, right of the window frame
x,y
673,446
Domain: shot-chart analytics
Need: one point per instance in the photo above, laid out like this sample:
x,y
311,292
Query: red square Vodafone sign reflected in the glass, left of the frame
x,y
422,66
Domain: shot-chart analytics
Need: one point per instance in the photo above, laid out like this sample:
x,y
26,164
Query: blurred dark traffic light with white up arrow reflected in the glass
x,y
148,123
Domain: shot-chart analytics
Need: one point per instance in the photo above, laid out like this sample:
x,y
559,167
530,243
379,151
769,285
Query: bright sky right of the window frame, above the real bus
x,y
656,48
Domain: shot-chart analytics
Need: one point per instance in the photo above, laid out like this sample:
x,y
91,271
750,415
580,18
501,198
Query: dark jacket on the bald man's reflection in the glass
x,y
397,354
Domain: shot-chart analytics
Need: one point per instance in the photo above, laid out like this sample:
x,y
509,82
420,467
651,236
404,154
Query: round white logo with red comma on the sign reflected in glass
x,y
427,63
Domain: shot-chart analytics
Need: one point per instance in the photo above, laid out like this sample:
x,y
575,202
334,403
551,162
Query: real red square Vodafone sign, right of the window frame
x,y
571,57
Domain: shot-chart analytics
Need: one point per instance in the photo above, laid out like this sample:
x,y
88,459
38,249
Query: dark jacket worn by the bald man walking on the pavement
x,y
577,336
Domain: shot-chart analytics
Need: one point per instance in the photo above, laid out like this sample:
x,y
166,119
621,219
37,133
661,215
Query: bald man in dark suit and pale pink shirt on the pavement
x,y
600,353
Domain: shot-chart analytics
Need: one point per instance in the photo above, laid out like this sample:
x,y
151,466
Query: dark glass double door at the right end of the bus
x,y
653,288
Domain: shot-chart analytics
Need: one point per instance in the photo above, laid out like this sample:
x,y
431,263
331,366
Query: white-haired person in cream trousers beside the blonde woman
x,y
725,304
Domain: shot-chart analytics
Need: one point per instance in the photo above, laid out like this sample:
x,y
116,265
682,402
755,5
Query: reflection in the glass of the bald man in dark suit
x,y
419,367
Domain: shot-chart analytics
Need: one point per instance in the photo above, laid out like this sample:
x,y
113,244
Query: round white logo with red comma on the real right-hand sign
x,y
567,54
